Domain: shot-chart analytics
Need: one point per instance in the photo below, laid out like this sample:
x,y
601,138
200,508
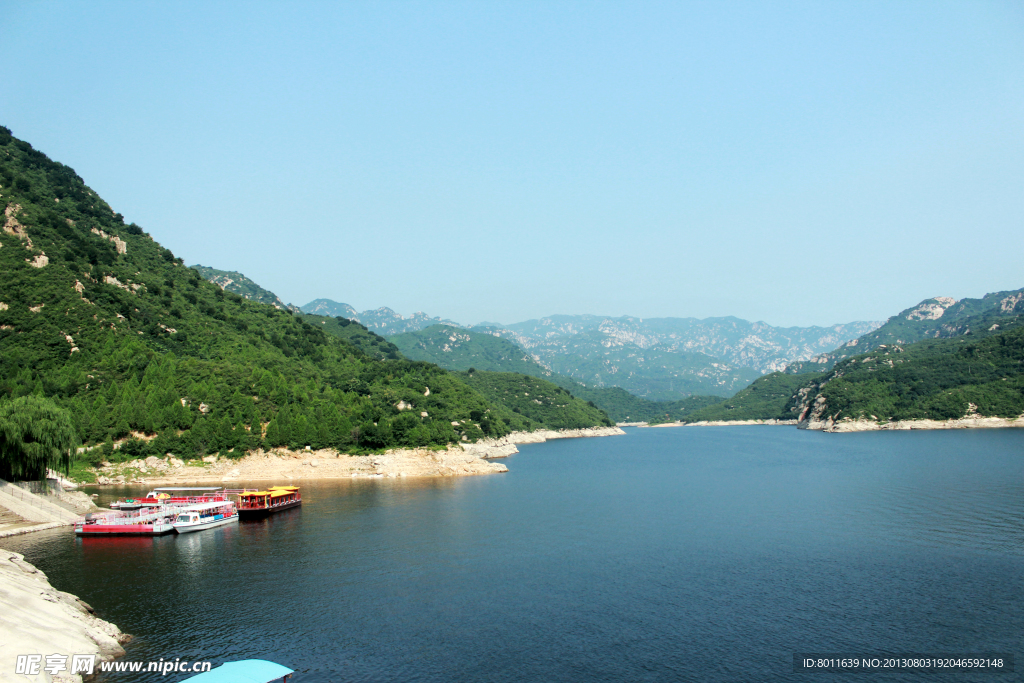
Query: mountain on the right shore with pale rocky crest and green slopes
x,y
941,360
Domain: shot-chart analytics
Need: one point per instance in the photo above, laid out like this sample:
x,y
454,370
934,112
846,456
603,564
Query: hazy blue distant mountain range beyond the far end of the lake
x,y
661,360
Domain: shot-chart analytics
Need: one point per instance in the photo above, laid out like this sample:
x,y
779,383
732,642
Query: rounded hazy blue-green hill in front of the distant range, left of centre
x,y
456,349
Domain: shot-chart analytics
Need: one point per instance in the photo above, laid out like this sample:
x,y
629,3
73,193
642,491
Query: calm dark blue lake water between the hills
x,y
693,554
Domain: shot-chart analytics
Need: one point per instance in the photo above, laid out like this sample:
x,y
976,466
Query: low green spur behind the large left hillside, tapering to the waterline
x,y
541,402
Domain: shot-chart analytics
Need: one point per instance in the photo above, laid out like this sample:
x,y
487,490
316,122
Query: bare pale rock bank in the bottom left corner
x,y
37,619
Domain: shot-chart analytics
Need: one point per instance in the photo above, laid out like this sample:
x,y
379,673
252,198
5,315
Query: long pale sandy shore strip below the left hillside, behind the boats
x,y
283,465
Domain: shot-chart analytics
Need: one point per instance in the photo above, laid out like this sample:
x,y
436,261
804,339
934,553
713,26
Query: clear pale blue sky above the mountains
x,y
795,163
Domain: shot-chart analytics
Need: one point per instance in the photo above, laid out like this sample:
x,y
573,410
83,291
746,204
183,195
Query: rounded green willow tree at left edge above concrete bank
x,y
35,435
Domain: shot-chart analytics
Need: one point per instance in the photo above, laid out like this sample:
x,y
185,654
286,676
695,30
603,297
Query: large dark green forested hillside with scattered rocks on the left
x,y
98,317
